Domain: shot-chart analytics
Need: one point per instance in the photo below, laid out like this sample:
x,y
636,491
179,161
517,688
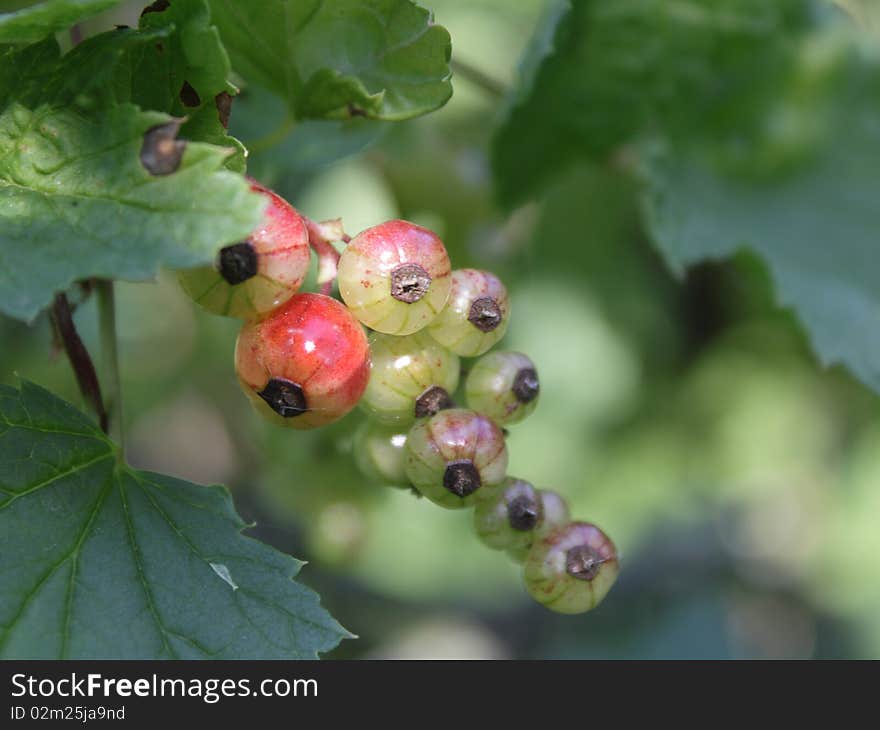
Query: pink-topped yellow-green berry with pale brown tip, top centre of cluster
x,y
395,277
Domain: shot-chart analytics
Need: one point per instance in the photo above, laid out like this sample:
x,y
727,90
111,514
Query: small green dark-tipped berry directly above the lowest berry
x,y
507,520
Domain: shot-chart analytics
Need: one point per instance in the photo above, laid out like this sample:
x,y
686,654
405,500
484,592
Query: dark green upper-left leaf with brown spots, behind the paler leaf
x,y
173,63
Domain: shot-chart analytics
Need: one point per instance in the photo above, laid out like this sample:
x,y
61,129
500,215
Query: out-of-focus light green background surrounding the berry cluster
x,y
689,419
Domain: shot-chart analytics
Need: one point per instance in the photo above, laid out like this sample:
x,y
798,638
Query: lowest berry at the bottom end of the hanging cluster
x,y
572,568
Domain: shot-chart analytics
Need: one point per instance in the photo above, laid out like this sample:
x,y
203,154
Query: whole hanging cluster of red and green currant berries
x,y
304,360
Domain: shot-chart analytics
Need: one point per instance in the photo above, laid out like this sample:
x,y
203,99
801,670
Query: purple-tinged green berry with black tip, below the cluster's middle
x,y
454,454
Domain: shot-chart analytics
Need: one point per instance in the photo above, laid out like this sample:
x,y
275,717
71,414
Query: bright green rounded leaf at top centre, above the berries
x,y
382,59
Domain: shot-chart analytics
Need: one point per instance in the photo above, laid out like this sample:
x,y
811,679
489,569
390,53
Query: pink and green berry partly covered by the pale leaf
x,y
251,278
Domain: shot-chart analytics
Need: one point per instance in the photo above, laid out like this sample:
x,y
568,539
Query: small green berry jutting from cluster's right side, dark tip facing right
x,y
504,386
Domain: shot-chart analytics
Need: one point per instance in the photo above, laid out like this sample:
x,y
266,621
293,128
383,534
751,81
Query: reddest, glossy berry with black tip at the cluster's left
x,y
305,365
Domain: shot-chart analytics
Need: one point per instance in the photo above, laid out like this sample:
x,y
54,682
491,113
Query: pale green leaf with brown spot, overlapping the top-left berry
x,y
76,201
